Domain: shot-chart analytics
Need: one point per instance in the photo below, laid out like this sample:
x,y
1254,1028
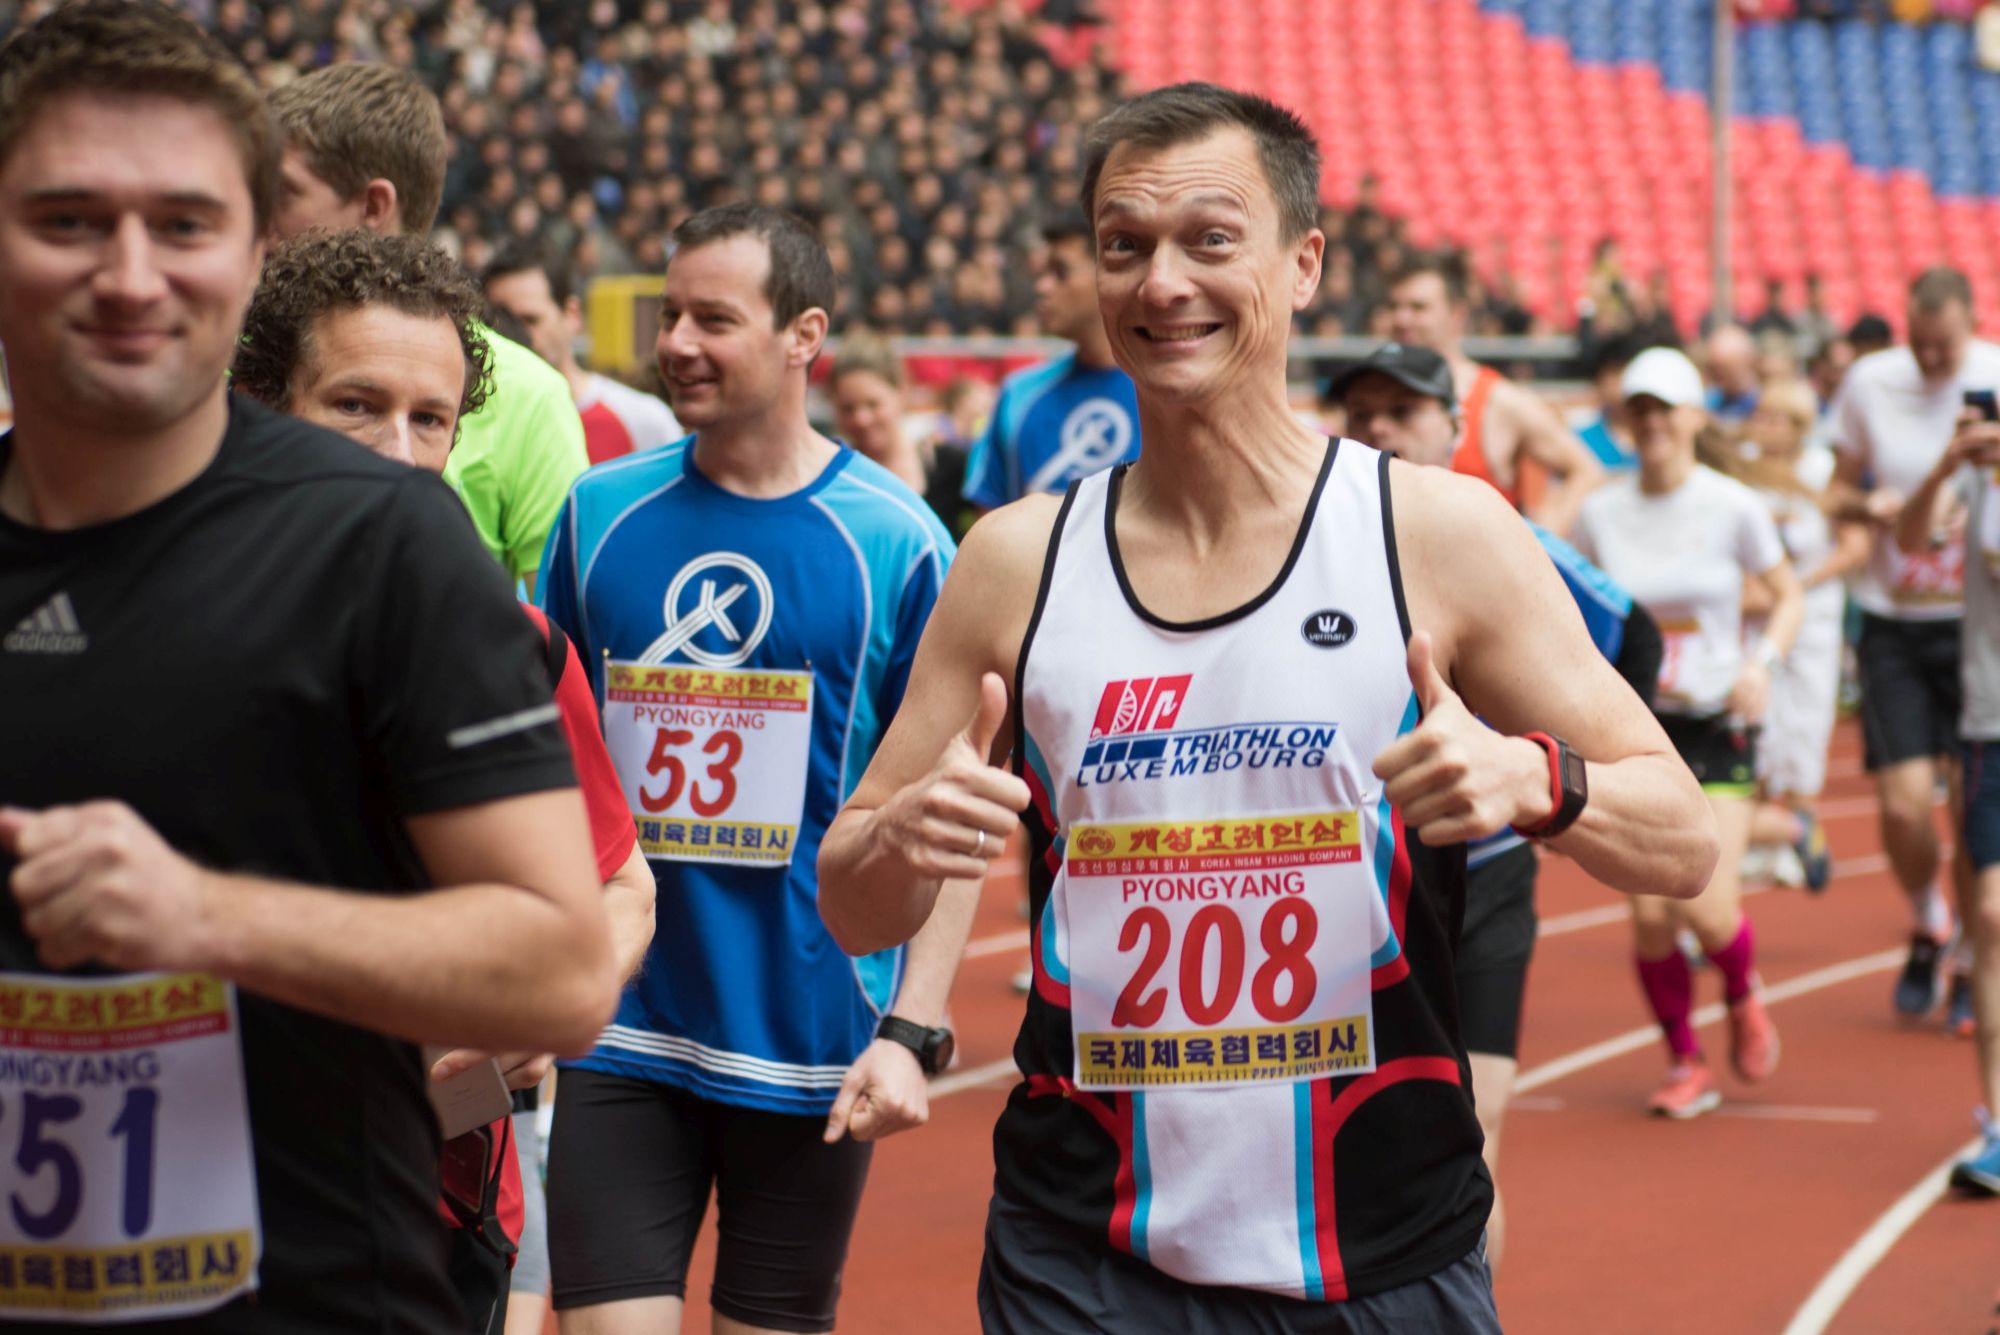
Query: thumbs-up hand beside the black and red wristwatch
x,y
1455,778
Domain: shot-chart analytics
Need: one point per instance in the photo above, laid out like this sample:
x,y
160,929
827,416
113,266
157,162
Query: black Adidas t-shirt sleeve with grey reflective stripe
x,y
451,676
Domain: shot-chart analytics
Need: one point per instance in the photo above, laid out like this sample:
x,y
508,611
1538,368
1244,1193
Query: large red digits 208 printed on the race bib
x,y
1285,934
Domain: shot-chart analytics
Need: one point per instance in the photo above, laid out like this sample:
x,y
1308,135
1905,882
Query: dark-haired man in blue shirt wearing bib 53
x,y
749,603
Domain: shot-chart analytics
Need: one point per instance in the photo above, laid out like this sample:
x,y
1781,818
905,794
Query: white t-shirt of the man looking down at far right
x,y
1897,425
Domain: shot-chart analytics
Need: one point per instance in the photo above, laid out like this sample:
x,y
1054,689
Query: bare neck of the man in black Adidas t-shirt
x,y
61,475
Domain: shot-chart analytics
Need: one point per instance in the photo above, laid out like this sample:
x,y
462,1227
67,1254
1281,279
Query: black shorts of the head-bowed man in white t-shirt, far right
x,y
1909,690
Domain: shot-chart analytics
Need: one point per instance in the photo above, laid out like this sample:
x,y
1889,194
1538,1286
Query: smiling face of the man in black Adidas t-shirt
x,y
127,259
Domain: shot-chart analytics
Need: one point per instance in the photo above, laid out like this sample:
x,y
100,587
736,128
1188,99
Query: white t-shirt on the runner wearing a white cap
x,y
1685,557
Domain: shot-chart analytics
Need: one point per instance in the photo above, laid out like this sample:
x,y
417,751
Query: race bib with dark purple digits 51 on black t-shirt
x,y
125,1150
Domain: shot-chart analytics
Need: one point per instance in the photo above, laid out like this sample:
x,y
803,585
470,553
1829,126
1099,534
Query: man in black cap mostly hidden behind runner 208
x,y
1401,401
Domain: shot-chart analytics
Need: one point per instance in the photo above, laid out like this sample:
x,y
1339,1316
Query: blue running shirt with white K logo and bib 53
x,y
749,657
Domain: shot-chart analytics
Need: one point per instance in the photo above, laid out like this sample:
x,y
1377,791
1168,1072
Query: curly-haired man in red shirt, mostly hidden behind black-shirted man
x,y
373,335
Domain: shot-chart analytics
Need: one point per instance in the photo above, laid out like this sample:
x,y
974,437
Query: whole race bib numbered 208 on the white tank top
x,y
1221,952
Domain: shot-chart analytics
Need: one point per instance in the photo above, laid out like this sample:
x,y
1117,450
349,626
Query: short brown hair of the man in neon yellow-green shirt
x,y
357,123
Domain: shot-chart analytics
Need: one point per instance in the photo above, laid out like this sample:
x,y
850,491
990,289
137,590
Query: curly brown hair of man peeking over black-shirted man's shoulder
x,y
327,273
